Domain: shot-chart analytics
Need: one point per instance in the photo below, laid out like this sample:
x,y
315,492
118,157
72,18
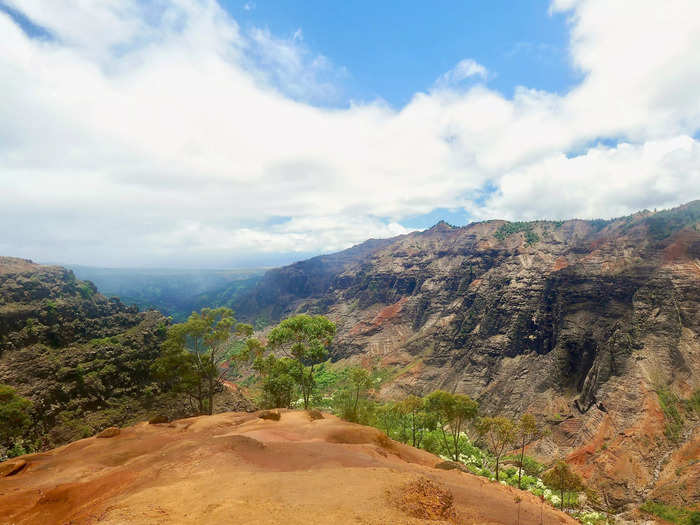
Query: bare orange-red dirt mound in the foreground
x,y
238,468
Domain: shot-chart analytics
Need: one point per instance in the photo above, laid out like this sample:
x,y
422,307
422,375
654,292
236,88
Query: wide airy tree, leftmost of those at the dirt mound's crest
x,y
197,354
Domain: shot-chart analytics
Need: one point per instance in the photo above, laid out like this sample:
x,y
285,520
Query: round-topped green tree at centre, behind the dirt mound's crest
x,y
305,340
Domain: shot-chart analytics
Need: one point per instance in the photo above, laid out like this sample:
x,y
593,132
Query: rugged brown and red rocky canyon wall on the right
x,y
592,325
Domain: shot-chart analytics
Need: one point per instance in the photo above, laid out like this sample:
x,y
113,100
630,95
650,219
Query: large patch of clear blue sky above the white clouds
x,y
391,51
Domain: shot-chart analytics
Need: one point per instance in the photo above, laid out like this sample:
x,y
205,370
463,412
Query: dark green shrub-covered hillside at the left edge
x,y
82,359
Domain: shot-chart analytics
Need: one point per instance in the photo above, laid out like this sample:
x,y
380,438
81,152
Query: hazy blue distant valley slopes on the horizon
x,y
173,292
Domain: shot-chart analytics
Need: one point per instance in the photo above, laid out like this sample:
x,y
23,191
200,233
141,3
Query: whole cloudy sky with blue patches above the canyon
x,y
197,133
